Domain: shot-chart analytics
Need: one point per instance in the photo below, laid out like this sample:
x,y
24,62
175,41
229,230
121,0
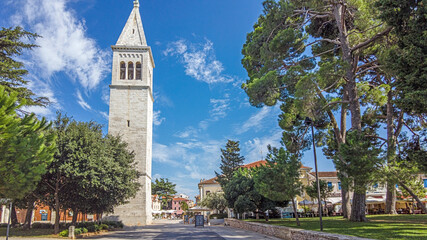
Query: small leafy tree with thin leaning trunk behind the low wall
x,y
279,180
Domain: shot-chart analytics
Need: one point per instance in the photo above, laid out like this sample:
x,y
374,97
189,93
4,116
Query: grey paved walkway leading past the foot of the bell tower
x,y
169,229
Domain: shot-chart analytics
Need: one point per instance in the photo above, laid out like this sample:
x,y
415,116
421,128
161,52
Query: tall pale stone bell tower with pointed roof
x,y
131,112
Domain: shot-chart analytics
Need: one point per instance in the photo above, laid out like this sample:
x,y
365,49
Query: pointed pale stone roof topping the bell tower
x,y
133,32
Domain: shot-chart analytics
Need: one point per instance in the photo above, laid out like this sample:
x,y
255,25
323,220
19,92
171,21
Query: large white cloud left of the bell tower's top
x,y
64,45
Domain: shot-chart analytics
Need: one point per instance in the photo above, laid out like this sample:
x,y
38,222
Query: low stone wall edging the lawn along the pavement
x,y
286,232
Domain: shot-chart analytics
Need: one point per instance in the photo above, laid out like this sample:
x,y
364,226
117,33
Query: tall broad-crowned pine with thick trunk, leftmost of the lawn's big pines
x,y
312,58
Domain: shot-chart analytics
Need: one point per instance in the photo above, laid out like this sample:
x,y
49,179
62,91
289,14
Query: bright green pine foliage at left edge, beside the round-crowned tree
x,y
26,148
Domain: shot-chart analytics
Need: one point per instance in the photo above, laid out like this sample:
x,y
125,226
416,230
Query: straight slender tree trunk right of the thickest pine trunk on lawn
x,y
390,207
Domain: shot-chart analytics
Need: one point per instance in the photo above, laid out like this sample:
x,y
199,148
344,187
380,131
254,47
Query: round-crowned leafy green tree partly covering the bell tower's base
x,y
89,173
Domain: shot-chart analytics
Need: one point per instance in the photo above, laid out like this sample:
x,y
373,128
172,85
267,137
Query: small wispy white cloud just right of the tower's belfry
x,y
199,61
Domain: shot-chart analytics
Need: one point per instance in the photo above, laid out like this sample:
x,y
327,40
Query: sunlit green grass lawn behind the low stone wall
x,y
378,227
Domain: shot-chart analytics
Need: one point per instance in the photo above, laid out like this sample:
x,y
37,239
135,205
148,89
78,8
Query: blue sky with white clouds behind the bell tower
x,y
197,50
